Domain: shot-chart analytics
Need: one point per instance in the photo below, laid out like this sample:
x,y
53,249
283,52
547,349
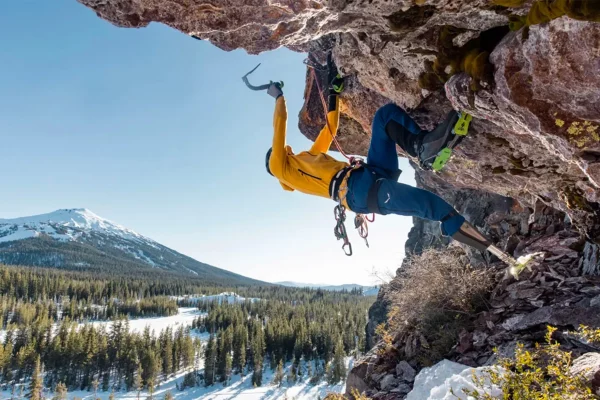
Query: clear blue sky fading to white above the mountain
x,y
155,130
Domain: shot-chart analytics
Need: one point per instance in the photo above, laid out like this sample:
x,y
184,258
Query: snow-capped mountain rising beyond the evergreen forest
x,y
79,239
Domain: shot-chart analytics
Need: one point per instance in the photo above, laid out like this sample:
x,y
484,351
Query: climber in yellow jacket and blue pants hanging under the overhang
x,y
371,187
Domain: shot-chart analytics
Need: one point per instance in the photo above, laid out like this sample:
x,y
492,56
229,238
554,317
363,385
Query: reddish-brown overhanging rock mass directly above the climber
x,y
536,133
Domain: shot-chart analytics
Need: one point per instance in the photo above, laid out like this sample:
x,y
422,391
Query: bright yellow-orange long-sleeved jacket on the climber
x,y
308,172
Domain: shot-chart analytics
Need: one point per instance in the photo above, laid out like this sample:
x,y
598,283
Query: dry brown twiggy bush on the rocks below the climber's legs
x,y
437,295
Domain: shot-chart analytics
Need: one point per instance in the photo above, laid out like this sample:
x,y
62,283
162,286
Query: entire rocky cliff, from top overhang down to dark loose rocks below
x,y
528,174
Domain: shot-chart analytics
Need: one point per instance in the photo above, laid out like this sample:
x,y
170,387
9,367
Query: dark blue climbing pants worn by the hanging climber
x,y
394,197
